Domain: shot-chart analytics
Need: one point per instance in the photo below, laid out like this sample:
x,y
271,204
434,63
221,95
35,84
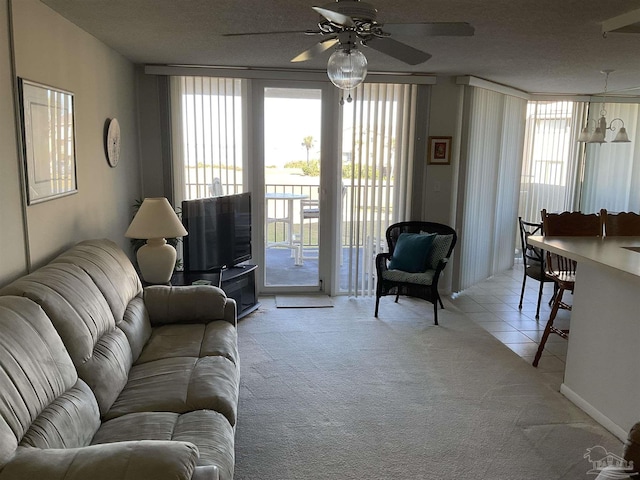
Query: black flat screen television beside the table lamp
x,y
219,232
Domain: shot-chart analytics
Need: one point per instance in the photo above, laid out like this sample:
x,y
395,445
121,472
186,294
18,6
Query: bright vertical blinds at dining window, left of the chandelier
x,y
551,159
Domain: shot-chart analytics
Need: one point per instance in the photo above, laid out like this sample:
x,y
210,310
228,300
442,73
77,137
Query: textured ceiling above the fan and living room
x,y
542,46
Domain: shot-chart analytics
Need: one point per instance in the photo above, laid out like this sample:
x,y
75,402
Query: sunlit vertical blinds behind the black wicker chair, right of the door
x,y
377,152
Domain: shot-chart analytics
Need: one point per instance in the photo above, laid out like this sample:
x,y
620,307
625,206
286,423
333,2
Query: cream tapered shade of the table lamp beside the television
x,y
155,219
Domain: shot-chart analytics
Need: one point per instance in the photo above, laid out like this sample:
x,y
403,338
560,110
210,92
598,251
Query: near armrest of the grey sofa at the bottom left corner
x,y
140,460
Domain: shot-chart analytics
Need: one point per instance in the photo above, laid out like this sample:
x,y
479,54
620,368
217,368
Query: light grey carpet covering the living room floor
x,y
338,394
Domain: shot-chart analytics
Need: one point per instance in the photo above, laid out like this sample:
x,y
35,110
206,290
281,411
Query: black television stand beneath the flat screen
x,y
237,282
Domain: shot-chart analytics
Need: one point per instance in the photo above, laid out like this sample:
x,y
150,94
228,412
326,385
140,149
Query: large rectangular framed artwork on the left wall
x,y
48,137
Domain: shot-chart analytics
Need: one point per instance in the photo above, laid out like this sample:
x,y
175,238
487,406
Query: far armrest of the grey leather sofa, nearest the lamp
x,y
188,304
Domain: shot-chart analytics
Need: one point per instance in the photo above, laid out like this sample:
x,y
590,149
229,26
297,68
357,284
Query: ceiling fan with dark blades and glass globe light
x,y
347,24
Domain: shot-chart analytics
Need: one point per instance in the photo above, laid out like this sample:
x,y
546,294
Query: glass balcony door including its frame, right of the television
x,y
292,172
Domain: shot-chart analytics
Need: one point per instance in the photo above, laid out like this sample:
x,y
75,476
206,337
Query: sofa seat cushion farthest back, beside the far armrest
x,y
217,338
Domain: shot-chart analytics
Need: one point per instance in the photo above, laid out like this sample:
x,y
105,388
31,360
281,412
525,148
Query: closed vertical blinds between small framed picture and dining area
x,y
490,167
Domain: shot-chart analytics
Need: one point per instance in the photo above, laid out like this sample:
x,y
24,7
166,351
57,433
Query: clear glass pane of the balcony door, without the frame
x,y
292,169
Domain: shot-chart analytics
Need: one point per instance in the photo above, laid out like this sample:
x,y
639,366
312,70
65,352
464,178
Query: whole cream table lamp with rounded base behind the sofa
x,y
155,221
